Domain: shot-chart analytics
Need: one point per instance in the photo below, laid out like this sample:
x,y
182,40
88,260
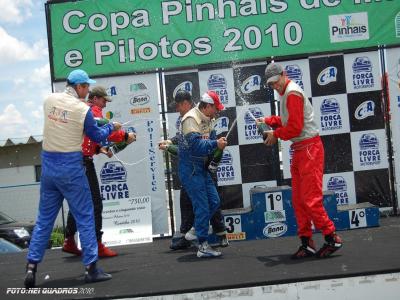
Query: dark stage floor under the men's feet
x,y
153,270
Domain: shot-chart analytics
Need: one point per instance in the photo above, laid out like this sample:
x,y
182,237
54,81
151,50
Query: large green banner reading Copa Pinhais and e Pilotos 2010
x,y
124,36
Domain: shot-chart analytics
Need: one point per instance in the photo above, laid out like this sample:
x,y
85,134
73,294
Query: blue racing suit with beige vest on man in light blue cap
x,y
63,174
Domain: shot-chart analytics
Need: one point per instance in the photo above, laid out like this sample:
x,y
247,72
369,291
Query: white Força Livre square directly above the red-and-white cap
x,y
220,81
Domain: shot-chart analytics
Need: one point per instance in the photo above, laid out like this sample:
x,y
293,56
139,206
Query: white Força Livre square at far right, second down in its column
x,y
369,150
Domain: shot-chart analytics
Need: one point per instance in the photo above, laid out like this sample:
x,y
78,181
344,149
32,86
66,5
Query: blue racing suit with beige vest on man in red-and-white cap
x,y
195,146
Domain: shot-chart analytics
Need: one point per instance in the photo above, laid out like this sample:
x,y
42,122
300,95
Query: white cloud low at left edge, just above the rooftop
x,y
12,123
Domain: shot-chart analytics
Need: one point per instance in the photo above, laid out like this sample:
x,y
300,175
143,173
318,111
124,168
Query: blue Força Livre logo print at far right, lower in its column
x,y
369,150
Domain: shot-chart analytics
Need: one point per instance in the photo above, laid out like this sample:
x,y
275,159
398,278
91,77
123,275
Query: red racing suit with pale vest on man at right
x,y
296,123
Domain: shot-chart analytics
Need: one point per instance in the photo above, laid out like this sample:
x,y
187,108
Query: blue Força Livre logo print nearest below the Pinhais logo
x,y
362,73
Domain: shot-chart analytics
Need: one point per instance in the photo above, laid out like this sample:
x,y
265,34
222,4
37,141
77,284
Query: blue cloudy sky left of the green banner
x,y
24,67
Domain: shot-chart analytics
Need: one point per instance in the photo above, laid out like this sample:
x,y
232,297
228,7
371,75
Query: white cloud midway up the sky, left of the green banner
x,y
13,50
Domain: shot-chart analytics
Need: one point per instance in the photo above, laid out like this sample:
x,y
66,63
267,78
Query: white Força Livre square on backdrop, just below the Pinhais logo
x,y
362,72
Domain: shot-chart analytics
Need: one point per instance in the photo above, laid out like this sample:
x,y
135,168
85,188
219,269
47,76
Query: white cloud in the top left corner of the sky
x,y
15,11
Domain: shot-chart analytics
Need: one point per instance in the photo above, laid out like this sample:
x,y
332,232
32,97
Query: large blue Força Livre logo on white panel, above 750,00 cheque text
x,y
113,177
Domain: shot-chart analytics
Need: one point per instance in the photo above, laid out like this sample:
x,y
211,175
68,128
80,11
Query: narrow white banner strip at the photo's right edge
x,y
393,72
